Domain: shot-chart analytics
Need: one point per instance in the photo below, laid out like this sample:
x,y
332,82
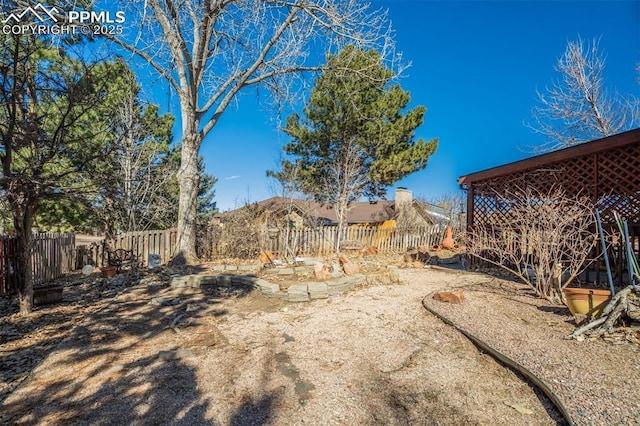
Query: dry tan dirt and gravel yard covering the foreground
x,y
149,354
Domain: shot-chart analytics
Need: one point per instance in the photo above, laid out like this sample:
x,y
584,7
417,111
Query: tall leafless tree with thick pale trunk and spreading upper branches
x,y
209,50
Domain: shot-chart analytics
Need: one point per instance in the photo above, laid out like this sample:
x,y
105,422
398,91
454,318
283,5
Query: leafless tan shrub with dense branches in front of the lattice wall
x,y
545,239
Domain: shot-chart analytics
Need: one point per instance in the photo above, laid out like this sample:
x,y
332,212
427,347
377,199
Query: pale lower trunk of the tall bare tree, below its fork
x,y
188,181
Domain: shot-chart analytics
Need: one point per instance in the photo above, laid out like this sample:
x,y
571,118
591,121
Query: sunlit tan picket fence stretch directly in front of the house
x,y
322,241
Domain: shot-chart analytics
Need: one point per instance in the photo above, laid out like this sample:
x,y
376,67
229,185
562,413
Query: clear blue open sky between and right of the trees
x,y
476,66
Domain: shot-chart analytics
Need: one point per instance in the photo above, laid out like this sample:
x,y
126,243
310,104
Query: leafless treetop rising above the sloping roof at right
x,y
580,107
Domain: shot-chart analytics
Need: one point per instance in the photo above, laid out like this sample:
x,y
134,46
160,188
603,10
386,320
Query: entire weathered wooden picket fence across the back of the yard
x,y
54,255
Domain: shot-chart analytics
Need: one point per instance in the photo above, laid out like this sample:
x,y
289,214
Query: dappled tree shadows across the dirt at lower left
x,y
106,350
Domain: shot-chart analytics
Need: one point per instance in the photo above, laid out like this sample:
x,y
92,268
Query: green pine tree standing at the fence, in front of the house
x,y
355,138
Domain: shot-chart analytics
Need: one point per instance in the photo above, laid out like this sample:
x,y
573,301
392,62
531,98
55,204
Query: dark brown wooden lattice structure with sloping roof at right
x,y
607,170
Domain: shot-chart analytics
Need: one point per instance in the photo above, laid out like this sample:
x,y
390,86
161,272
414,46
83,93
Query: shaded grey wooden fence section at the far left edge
x,y
52,256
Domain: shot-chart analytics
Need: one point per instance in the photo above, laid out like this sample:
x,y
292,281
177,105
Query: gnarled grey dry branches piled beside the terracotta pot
x,y
620,319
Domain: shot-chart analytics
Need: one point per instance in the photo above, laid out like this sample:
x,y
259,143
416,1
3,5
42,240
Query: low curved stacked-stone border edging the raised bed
x,y
303,292
